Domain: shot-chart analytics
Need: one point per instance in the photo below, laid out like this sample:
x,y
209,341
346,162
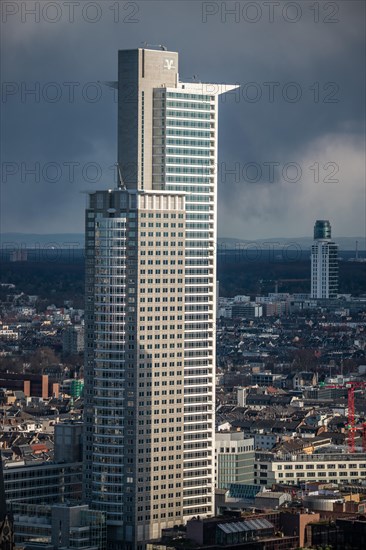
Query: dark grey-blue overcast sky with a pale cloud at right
x,y
291,143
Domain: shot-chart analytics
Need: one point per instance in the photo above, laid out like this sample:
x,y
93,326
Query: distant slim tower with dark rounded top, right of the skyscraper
x,y
324,262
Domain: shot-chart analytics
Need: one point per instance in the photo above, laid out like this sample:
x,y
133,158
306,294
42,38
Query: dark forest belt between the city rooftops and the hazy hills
x,y
57,277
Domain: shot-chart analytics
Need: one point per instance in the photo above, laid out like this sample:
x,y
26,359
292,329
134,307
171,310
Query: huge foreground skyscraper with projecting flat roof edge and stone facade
x,y
151,307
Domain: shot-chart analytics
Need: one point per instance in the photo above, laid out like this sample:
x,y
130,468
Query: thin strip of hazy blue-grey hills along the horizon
x,y
76,240
